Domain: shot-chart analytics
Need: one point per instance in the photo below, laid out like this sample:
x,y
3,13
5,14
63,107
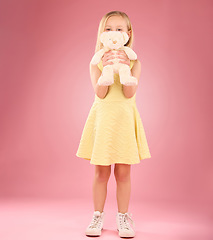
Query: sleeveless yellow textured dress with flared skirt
x,y
113,132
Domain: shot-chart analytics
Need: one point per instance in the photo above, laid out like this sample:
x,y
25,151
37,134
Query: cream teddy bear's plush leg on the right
x,y
125,76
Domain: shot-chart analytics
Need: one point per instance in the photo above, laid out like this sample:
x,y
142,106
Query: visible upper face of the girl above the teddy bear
x,y
116,23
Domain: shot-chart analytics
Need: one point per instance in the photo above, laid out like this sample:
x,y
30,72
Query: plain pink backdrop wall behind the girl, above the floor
x,y
46,95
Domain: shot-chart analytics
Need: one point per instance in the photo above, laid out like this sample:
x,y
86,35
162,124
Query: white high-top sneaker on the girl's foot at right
x,y
123,226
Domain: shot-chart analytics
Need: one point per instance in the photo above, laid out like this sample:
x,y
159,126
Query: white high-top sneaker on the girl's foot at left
x,y
96,225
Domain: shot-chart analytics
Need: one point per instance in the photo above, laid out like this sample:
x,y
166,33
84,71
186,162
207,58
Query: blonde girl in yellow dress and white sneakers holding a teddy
x,y
113,132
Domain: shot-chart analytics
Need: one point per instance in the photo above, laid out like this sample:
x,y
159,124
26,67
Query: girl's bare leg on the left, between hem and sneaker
x,y
102,174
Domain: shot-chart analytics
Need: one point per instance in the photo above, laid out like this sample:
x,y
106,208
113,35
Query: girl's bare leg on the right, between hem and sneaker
x,y
122,175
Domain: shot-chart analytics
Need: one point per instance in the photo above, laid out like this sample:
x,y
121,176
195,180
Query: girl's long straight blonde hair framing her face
x,y
99,44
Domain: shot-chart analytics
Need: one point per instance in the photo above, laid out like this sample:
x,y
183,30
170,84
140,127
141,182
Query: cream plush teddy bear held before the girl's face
x,y
115,40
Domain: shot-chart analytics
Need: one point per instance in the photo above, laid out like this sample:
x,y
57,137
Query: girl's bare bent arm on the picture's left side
x,y
95,73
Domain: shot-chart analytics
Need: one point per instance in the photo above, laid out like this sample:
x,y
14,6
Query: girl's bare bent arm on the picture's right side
x,y
129,91
